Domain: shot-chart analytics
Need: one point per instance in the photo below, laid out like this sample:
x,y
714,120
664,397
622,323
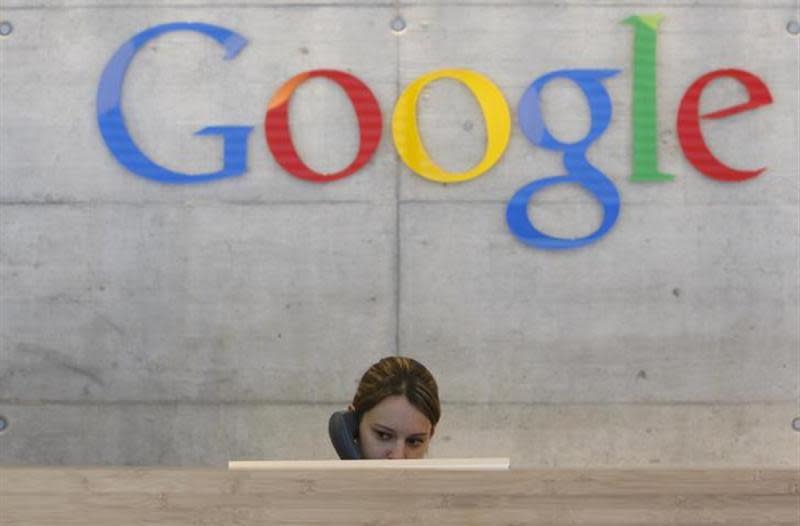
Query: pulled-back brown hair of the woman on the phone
x,y
398,375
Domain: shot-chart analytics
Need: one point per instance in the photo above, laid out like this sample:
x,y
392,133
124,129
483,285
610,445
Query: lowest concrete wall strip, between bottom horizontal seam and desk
x,y
622,435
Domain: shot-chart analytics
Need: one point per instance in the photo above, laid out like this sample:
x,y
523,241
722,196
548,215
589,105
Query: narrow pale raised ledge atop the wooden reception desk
x,y
451,464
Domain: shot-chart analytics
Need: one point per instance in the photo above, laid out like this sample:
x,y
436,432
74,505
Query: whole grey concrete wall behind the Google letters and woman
x,y
144,323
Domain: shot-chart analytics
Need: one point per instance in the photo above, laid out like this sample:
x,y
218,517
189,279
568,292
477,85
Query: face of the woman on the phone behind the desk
x,y
394,429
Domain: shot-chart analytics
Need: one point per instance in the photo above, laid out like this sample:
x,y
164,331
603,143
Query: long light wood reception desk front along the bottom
x,y
92,496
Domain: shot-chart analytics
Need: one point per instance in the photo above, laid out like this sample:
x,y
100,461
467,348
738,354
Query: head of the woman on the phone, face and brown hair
x,y
397,408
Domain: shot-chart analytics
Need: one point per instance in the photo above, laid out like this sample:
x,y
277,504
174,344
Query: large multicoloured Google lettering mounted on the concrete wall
x,y
496,113
